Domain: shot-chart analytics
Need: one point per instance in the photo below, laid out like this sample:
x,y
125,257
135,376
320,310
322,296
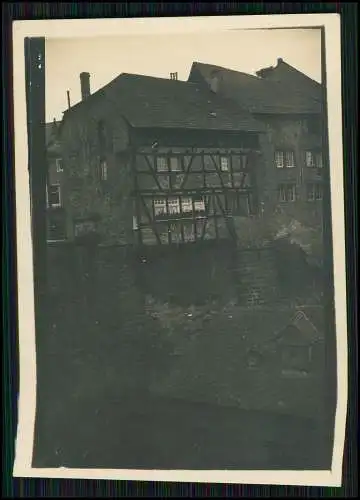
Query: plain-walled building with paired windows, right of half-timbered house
x,y
290,105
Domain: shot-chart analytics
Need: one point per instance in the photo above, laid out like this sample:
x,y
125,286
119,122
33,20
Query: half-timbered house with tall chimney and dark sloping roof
x,y
152,161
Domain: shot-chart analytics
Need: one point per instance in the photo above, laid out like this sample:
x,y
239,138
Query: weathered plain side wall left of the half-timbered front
x,y
87,195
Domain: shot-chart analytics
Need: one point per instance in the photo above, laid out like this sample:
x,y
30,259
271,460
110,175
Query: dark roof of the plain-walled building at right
x,y
258,95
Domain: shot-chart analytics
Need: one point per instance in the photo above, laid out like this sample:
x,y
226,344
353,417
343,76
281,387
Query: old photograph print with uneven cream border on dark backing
x,y
180,240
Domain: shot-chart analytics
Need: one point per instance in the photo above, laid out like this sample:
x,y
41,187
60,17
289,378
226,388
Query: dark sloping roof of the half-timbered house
x,y
161,103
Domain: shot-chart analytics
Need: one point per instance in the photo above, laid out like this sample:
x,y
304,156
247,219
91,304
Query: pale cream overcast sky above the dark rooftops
x,y
159,55
